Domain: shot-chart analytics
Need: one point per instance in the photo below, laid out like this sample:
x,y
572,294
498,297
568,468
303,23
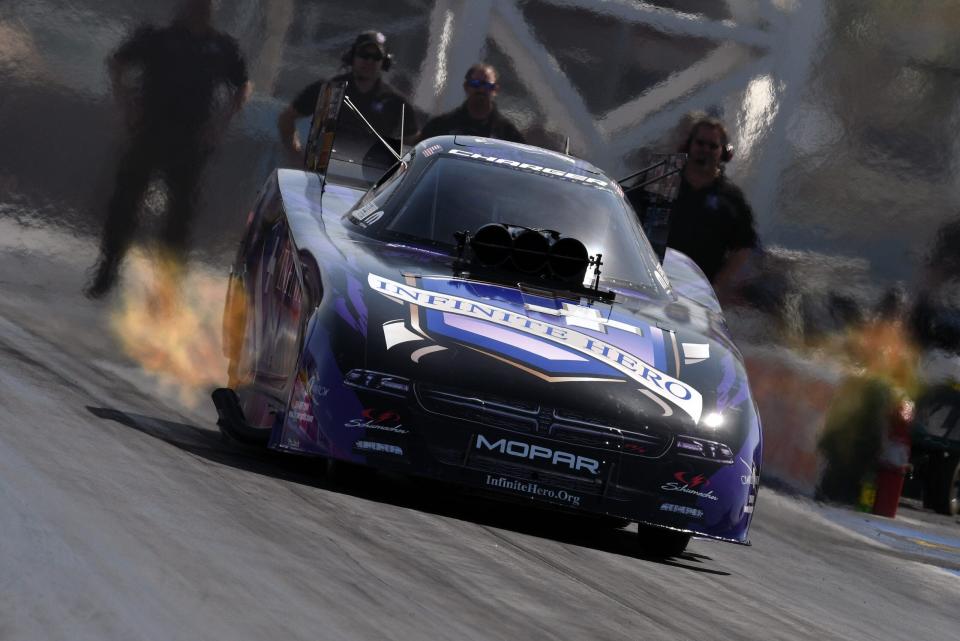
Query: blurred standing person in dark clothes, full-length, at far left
x,y
175,118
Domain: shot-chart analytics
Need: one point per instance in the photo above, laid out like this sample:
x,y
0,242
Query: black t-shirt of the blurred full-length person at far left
x,y
181,72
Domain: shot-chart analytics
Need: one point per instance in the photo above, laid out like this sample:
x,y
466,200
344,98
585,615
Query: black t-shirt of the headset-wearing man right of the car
x,y
707,224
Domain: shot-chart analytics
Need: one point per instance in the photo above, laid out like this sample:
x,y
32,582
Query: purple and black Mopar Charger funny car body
x,y
361,327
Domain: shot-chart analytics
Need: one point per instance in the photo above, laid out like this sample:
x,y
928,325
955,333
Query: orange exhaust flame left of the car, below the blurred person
x,y
170,322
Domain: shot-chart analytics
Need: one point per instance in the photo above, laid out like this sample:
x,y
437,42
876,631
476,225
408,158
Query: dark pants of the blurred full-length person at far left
x,y
180,161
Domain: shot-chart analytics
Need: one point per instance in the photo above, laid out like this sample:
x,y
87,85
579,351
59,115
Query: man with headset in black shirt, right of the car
x,y
711,221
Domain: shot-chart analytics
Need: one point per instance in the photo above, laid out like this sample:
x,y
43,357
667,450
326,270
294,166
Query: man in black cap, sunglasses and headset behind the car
x,y
380,103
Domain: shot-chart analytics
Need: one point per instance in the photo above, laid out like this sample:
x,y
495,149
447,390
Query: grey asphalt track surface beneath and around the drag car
x,y
123,515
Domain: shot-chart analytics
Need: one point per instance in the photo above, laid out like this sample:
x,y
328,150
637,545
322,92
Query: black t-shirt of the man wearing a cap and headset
x,y
382,106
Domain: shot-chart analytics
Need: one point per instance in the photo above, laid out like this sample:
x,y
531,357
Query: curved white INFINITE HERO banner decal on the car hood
x,y
660,383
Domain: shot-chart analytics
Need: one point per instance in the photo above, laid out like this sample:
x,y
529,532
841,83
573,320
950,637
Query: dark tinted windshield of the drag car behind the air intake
x,y
455,195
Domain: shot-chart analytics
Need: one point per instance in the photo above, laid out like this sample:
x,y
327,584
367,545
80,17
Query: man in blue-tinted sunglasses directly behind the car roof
x,y
478,115
